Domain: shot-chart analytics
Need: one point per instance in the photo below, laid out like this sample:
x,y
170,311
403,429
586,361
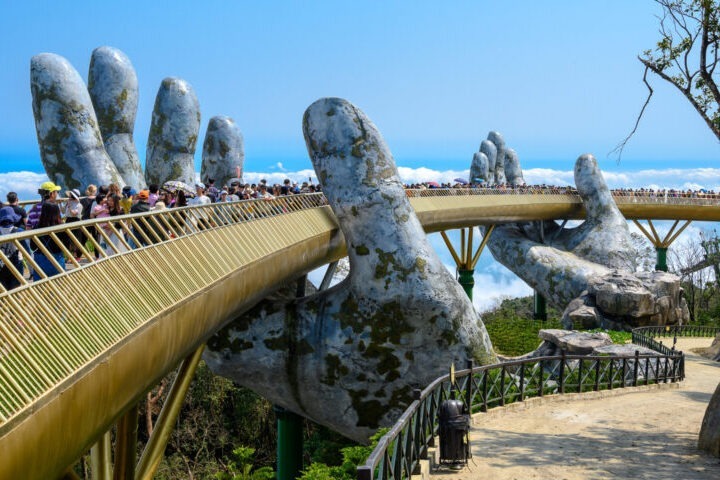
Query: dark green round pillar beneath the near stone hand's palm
x,y
290,444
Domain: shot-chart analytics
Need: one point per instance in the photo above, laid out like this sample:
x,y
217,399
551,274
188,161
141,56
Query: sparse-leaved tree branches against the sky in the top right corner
x,y
686,56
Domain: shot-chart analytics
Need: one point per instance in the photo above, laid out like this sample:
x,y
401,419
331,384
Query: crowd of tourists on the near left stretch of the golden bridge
x,y
108,201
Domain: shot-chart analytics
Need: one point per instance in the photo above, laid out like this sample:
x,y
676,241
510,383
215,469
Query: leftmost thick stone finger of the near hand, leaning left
x,y
71,147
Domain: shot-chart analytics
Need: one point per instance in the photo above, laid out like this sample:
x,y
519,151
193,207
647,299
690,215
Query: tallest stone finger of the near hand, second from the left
x,y
113,88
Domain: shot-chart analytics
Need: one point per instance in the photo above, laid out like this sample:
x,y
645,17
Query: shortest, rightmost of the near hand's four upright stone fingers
x,y
223,151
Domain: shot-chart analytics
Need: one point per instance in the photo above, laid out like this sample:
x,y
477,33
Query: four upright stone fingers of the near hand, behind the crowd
x,y
86,133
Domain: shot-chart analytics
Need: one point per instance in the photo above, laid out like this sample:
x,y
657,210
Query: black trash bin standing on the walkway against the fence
x,y
454,427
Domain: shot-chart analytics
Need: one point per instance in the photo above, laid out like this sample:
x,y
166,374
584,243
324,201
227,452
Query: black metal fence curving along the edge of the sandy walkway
x,y
398,453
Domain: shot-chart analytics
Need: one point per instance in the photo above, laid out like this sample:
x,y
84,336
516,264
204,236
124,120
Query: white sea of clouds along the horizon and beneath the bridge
x,y
493,282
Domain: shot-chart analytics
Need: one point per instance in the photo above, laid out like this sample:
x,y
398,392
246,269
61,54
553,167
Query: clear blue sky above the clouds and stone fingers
x,y
557,78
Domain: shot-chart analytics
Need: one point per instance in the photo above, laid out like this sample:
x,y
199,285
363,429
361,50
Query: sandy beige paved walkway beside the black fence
x,y
640,435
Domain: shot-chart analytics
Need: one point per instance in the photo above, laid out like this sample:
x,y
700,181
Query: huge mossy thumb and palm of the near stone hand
x,y
394,324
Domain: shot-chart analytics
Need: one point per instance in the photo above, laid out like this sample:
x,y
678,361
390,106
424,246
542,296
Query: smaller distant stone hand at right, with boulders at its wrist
x,y
587,270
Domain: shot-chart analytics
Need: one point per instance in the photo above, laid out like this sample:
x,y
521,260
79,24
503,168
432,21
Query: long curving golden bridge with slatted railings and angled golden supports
x,y
78,350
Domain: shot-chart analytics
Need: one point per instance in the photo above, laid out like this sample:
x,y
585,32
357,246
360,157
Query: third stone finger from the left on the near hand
x,y
173,134
